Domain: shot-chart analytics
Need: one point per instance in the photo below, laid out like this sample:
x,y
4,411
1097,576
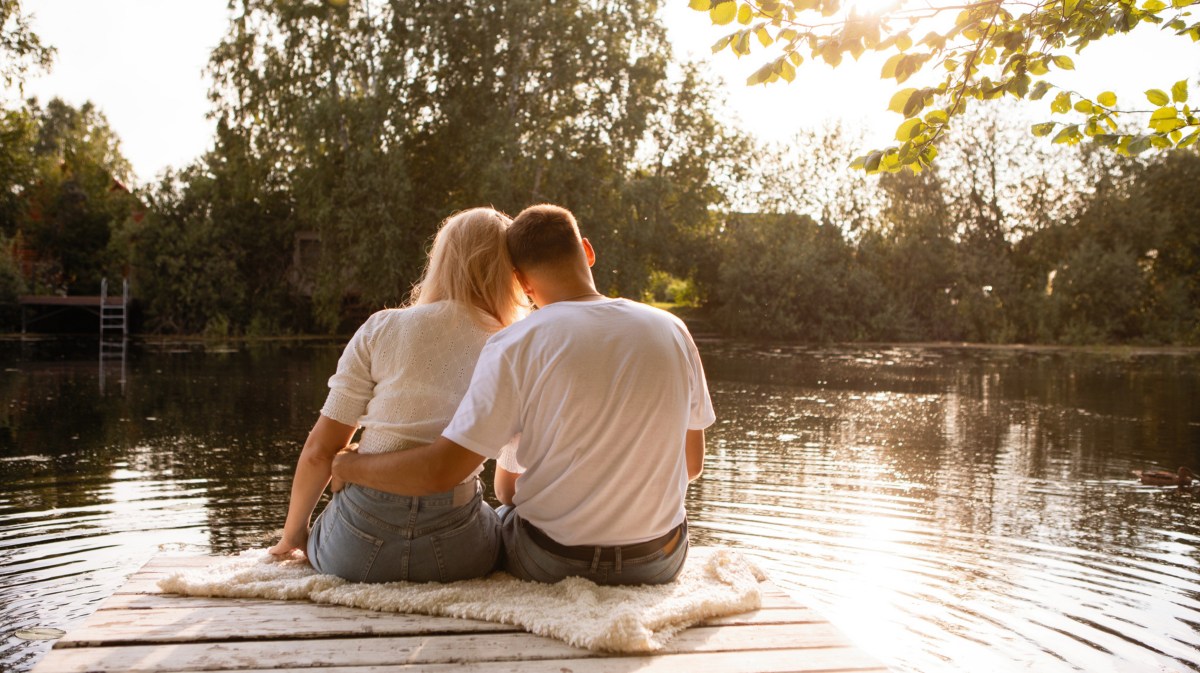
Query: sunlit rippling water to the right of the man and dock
x,y
968,510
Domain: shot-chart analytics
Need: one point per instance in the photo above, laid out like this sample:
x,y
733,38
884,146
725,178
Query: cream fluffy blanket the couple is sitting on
x,y
622,620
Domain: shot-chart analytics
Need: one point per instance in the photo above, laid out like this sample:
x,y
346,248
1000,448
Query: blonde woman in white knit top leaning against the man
x,y
401,378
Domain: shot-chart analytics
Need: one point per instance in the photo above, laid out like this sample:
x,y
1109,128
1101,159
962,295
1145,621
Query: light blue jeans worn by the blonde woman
x,y
368,536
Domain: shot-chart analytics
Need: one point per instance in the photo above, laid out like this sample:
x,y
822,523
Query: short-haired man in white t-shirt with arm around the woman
x,y
610,402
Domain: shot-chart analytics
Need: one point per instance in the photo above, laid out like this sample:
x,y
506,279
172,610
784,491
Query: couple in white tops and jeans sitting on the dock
x,y
593,407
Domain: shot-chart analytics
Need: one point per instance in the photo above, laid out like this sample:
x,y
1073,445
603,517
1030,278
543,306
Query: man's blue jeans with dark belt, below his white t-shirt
x,y
525,560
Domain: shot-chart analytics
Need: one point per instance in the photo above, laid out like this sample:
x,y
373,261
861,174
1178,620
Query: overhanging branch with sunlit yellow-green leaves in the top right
x,y
992,49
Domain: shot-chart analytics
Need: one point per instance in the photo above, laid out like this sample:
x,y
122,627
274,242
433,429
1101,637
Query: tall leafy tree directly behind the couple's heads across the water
x,y
379,119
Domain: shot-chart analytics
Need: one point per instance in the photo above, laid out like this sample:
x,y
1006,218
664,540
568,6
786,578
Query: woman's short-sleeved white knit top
x,y
404,374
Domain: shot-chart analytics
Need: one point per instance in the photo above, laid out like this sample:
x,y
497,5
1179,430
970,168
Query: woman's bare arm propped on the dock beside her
x,y
314,470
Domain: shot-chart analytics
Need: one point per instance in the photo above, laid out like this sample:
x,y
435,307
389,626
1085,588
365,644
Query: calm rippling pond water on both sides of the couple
x,y
950,509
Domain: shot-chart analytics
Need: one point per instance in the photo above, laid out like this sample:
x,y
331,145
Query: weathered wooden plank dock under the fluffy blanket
x,y
140,629
